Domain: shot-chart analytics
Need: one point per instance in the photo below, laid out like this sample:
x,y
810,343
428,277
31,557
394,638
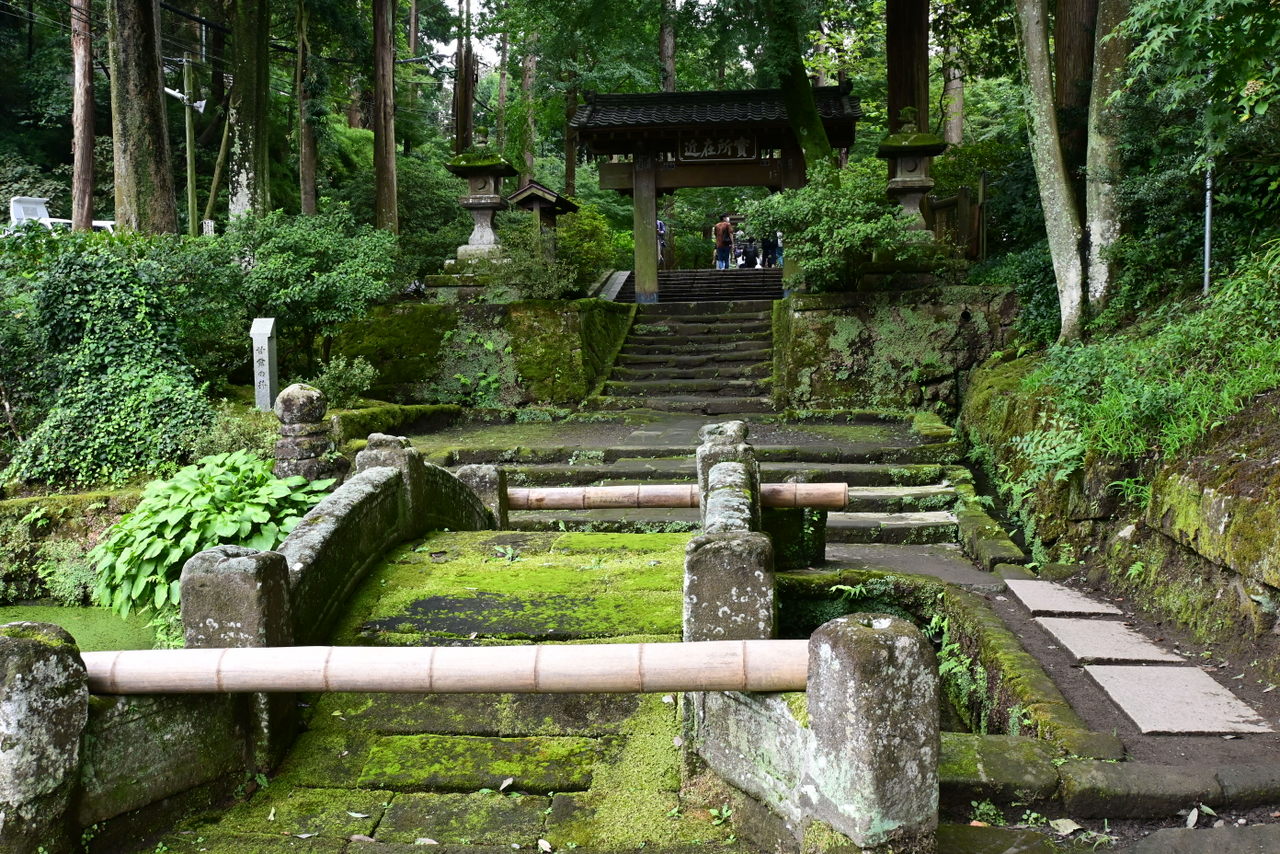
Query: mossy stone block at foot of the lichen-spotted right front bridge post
x,y
998,768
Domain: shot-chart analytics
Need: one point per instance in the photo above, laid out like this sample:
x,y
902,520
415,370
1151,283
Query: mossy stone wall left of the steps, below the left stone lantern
x,y
490,355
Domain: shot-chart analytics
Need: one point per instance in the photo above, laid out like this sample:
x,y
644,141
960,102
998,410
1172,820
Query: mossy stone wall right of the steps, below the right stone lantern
x,y
907,350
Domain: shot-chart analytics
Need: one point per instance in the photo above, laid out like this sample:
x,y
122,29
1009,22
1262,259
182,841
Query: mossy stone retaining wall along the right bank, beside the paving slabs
x,y
1203,555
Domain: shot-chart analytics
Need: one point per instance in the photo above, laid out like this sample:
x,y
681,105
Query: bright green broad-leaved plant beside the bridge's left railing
x,y
230,499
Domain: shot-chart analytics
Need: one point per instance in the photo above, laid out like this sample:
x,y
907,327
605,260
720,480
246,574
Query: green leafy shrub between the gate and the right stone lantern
x,y
839,220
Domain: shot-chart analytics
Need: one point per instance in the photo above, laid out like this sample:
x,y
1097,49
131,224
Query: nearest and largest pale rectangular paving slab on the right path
x,y
1176,701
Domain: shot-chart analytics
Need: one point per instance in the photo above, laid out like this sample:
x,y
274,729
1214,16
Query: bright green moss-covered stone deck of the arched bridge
x,y
502,770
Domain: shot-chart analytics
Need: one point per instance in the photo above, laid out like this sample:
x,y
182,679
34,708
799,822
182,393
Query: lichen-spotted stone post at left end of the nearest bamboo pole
x,y
44,707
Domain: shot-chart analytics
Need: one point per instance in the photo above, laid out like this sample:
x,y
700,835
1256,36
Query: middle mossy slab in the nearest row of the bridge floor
x,y
477,819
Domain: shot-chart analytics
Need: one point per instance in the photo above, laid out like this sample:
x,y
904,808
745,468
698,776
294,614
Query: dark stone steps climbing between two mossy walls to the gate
x,y
710,358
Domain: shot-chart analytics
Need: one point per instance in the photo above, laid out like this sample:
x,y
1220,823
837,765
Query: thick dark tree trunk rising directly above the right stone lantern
x,y
907,33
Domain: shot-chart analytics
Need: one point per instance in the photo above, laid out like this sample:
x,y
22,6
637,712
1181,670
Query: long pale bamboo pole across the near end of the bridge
x,y
587,669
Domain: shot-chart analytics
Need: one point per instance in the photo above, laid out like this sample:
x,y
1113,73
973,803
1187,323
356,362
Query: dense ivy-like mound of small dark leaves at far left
x,y
127,401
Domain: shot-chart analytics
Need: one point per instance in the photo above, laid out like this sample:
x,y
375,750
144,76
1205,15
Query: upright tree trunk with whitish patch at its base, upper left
x,y
250,152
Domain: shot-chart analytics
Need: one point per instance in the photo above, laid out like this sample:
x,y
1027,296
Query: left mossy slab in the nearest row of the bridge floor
x,y
332,814
